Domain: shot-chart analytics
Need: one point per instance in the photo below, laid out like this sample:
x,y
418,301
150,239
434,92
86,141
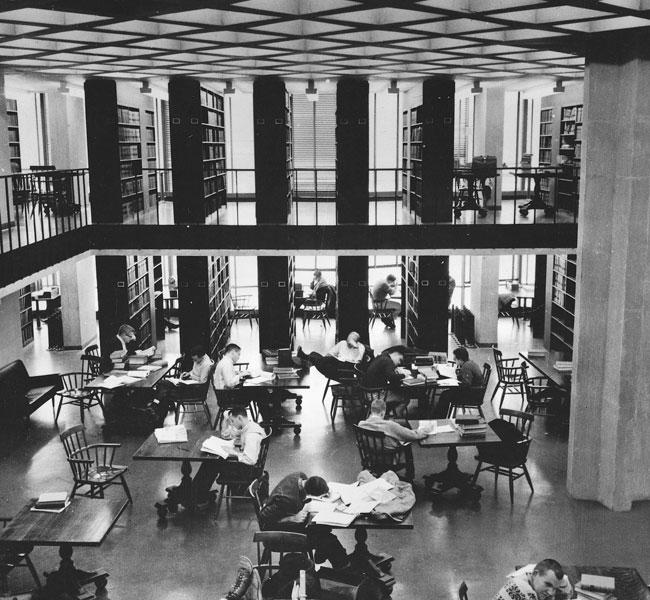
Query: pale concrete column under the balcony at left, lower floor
x,y
78,289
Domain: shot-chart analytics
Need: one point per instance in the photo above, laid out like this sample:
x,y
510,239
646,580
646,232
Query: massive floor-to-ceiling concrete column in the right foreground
x,y
609,447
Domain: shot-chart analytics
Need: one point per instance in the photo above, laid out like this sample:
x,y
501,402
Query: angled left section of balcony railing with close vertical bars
x,y
37,205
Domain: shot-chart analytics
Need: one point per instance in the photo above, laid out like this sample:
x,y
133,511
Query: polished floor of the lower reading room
x,y
192,557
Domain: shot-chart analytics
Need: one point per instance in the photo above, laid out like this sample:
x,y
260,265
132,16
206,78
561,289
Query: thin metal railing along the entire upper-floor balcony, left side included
x,y
40,205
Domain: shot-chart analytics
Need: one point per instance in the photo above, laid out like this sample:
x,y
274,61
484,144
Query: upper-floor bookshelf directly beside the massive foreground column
x,y
570,149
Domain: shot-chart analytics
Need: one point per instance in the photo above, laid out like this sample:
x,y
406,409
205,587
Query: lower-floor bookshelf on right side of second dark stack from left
x,y
219,303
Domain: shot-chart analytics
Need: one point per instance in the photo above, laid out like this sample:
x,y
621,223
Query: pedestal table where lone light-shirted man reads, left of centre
x,y
183,452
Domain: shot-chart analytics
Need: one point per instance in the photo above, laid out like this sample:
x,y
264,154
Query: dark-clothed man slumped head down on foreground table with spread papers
x,y
283,511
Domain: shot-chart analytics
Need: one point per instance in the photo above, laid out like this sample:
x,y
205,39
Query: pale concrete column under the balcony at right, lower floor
x,y
484,298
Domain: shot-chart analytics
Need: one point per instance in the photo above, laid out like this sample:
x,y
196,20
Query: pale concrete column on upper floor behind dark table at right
x,y
489,109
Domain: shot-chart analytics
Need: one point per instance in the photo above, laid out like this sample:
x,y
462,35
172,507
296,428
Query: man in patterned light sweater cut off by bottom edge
x,y
542,581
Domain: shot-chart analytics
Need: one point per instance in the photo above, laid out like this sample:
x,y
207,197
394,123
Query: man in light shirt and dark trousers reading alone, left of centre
x,y
248,437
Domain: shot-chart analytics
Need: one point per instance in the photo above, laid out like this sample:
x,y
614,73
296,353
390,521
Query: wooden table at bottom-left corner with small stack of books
x,y
86,522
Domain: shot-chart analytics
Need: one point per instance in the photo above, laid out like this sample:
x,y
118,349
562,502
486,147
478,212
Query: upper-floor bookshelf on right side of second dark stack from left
x,y
213,134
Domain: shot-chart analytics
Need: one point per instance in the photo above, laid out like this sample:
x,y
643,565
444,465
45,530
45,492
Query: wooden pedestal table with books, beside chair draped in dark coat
x,y
452,476
